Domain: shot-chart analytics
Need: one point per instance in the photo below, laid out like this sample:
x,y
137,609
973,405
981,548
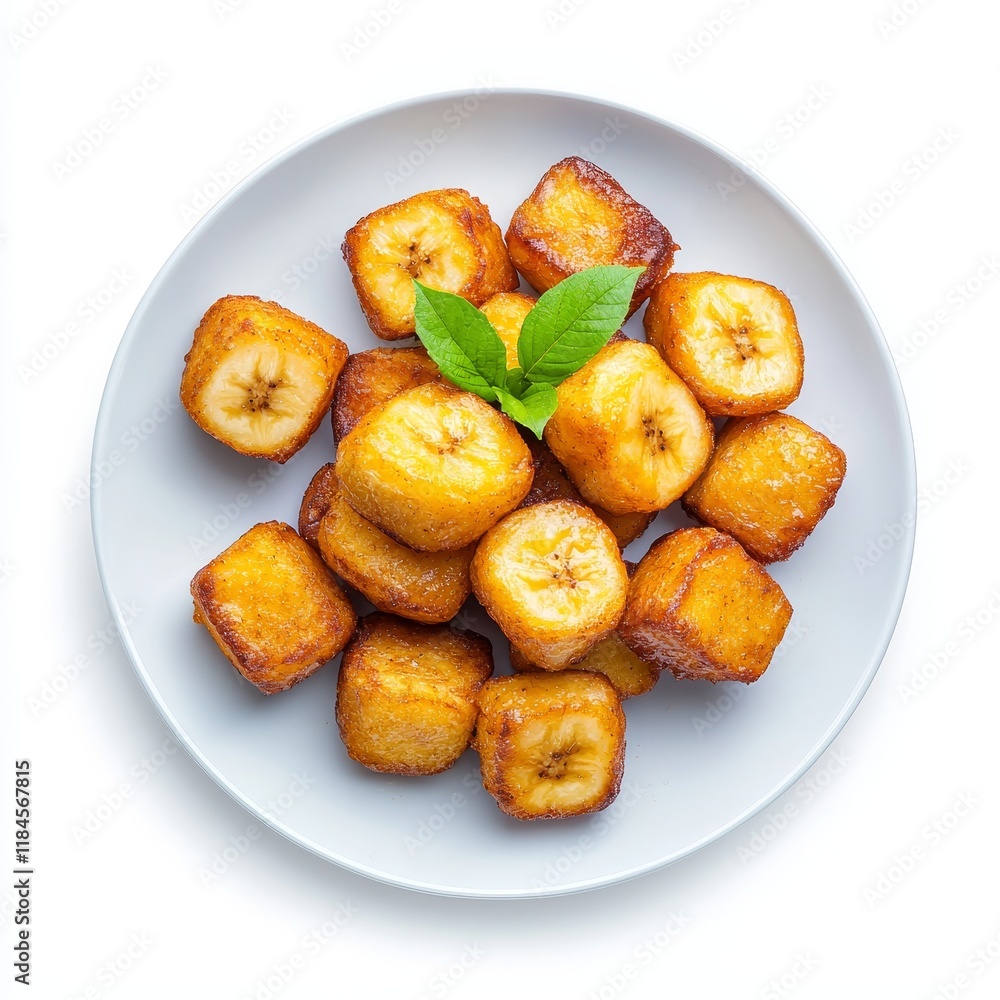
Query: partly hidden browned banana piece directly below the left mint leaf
x,y
371,378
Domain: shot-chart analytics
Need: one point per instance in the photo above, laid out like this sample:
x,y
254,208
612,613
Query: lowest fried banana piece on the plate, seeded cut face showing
x,y
550,744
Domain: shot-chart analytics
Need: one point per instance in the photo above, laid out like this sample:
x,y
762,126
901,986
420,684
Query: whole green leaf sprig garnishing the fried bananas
x,y
565,328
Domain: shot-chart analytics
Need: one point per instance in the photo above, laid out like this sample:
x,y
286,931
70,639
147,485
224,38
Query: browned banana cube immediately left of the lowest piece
x,y
406,694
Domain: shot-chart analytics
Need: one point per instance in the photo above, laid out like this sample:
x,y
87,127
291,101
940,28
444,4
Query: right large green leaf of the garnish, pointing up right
x,y
573,320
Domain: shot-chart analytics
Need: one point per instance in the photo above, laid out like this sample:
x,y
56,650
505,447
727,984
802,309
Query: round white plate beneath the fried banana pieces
x,y
700,759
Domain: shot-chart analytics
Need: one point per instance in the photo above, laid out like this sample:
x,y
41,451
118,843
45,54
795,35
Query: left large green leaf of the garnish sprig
x,y
461,340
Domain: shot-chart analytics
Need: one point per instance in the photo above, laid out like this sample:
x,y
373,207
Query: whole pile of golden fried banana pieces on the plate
x,y
435,495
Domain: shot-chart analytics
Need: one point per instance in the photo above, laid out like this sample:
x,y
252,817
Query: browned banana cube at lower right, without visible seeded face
x,y
700,607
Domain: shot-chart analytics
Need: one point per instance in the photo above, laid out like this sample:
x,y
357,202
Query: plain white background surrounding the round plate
x,y
825,907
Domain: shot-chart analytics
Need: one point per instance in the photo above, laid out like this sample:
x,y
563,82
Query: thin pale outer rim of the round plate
x,y
897,591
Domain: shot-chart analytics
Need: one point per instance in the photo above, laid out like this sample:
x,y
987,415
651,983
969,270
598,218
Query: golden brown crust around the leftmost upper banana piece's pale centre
x,y
246,322
